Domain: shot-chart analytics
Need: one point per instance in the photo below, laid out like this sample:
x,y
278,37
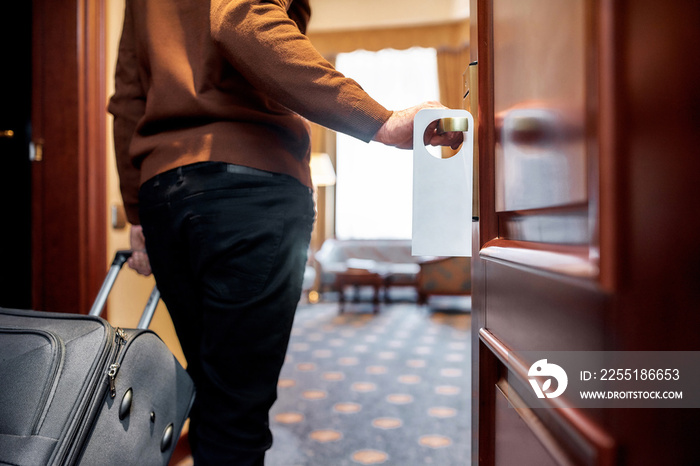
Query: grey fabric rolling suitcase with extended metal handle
x,y
75,390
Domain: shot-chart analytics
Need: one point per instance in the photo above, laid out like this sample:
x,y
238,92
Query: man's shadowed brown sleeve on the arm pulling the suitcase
x,y
127,105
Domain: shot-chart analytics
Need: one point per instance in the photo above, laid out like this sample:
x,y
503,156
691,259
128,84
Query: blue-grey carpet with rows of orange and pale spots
x,y
359,388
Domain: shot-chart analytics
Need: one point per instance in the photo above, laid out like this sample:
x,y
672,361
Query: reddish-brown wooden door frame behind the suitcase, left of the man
x,y
68,128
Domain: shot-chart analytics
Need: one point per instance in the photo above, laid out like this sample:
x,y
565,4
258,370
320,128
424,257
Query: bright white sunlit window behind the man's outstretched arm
x,y
374,182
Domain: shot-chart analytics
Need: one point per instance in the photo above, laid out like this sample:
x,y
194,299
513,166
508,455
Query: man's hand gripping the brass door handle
x,y
398,130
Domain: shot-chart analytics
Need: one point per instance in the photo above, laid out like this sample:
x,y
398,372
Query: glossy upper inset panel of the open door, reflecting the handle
x,y
539,103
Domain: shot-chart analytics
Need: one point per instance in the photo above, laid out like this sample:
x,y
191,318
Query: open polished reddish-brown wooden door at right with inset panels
x,y
586,236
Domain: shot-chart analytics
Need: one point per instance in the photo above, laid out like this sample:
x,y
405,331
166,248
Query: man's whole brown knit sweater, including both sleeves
x,y
225,80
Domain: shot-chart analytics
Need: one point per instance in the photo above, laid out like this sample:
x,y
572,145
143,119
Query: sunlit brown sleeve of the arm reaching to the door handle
x,y
263,41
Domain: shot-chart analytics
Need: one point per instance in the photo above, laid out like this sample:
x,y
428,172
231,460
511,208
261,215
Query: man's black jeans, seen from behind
x,y
228,246
